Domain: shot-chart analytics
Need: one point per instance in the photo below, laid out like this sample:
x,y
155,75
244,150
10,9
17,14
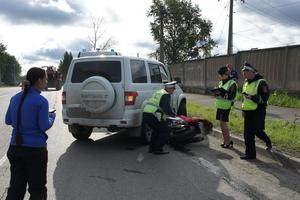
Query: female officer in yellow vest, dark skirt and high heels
x,y
225,95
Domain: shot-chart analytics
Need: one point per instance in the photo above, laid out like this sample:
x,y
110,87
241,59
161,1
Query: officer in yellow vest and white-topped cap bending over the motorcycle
x,y
154,115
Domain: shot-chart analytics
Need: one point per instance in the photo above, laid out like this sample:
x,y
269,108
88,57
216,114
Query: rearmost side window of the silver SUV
x,y
138,71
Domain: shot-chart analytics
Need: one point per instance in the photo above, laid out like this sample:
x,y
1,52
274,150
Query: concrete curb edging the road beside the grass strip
x,y
287,161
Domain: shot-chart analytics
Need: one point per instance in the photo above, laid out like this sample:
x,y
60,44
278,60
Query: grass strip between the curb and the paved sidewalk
x,y
285,135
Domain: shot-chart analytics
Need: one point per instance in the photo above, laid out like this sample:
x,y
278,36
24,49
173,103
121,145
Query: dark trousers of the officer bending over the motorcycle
x,y
160,133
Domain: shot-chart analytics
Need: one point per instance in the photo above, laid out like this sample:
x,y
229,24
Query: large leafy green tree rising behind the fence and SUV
x,y
185,34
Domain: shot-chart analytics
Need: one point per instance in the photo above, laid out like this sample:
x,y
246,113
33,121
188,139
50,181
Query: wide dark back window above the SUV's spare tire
x,y
111,70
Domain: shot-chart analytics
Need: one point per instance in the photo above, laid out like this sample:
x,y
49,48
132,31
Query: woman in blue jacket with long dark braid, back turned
x,y
28,114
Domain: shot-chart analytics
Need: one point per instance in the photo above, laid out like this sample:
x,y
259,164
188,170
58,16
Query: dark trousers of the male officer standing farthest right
x,y
254,125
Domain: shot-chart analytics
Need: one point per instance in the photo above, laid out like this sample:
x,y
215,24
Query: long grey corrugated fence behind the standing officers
x,y
279,66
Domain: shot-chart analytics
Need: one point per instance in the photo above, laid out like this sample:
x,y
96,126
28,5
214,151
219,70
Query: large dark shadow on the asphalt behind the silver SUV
x,y
117,167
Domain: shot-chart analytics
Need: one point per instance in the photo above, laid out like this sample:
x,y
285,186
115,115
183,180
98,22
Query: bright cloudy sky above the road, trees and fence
x,y
38,32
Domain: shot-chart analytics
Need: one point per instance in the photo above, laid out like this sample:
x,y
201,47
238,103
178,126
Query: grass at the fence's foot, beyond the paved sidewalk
x,y
280,98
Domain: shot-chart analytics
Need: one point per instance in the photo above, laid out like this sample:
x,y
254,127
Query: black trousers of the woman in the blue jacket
x,y
27,166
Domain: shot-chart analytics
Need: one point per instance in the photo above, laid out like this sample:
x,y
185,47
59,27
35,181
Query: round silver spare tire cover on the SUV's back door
x,y
97,94
